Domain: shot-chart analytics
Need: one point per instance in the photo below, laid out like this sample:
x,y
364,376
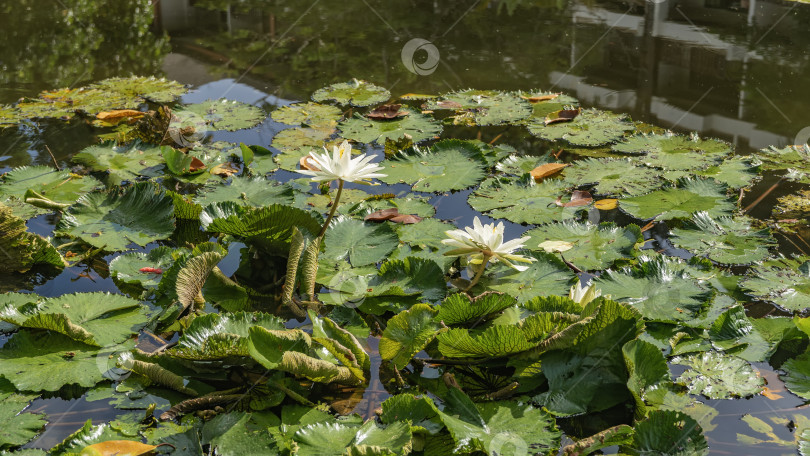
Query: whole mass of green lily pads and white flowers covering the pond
x,y
484,343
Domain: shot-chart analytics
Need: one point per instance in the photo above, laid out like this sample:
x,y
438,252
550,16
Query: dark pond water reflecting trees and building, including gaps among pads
x,y
733,70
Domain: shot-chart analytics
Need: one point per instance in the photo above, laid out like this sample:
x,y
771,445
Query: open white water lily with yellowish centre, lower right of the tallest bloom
x,y
480,240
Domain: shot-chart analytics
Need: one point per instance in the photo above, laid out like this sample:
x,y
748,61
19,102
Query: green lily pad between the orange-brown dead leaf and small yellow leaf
x,y
613,176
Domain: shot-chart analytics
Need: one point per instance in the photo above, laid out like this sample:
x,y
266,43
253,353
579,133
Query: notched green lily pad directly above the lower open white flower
x,y
522,200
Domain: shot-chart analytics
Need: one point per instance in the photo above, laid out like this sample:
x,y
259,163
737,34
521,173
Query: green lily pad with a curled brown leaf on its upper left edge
x,y
591,128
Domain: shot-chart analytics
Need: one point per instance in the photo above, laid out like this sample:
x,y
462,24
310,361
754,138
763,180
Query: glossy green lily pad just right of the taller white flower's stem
x,y
358,242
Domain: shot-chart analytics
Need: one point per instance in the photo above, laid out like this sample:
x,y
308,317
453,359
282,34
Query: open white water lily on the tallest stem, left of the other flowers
x,y
341,166
